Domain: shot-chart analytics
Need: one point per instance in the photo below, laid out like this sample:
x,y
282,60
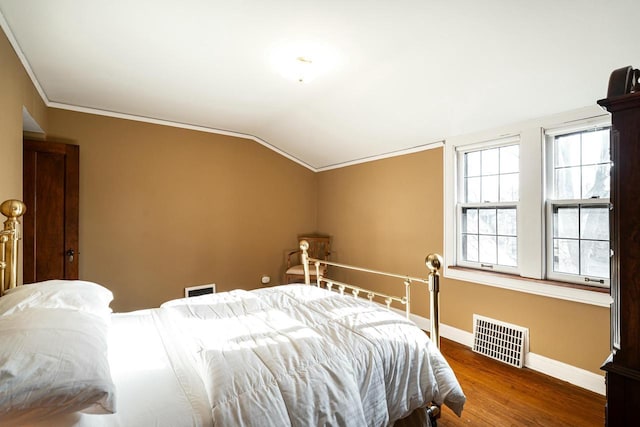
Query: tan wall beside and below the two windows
x,y
388,215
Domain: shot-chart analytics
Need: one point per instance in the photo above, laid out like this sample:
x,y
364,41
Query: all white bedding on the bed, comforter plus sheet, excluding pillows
x,y
289,355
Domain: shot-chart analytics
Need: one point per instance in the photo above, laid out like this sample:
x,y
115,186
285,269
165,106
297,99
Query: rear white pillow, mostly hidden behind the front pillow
x,y
69,294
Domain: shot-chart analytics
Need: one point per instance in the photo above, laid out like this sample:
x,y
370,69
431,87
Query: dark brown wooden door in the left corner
x,y
50,225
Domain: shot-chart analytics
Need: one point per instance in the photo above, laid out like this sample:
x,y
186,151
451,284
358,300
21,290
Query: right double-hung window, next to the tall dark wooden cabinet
x,y
578,207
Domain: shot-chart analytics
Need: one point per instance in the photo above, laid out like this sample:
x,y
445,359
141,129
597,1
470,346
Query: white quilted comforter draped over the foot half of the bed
x,y
300,355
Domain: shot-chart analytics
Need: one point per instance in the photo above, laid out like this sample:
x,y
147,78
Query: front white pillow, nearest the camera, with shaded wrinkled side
x,y
53,361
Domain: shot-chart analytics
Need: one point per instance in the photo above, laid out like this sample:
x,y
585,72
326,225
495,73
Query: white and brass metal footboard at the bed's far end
x,y
433,262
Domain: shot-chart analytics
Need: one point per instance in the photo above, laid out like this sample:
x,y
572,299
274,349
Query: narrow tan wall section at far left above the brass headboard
x,y
16,91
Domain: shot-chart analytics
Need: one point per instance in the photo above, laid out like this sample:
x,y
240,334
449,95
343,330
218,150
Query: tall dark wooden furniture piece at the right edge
x,y
623,365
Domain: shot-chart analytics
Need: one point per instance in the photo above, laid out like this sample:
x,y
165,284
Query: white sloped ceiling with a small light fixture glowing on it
x,y
402,74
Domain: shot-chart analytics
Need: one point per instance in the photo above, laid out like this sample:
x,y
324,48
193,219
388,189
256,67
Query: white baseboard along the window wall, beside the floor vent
x,y
560,370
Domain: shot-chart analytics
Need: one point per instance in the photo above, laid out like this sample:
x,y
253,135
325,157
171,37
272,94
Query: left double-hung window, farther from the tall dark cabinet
x,y
488,209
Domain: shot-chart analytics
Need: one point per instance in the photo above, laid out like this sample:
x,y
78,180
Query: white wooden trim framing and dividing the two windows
x,y
531,134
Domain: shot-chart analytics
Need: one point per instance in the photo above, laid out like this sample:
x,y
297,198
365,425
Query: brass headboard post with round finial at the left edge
x,y
9,236
